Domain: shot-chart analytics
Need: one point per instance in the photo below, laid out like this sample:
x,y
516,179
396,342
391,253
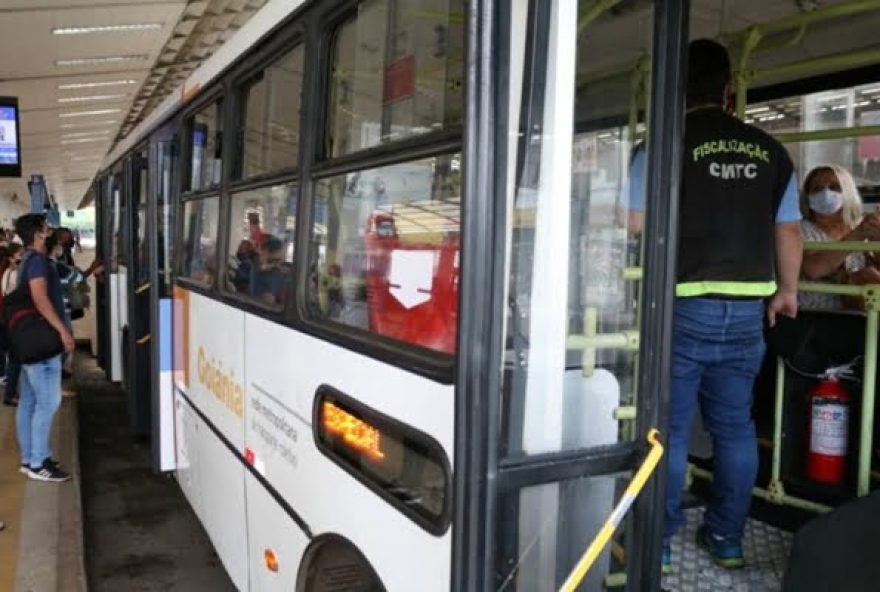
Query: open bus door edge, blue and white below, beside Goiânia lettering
x,y
160,237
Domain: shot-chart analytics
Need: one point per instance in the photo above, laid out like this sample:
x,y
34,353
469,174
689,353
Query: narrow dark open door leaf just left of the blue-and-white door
x,y
137,288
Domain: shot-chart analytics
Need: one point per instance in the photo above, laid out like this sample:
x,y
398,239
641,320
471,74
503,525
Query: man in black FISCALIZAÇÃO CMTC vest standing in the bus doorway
x,y
739,235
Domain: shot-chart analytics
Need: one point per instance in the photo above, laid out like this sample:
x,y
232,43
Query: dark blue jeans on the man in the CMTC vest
x,y
718,347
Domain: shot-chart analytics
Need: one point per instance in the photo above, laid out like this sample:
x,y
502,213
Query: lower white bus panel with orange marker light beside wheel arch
x,y
271,529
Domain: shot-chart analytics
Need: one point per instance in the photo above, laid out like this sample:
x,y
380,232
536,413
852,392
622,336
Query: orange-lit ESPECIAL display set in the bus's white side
x,y
406,467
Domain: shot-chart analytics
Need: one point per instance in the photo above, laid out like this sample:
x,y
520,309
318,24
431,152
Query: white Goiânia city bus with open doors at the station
x,y
373,293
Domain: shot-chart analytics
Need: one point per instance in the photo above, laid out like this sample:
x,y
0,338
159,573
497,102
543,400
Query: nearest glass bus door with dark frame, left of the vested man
x,y
582,269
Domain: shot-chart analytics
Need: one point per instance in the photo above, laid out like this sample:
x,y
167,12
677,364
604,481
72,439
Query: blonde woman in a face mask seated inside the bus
x,y
832,211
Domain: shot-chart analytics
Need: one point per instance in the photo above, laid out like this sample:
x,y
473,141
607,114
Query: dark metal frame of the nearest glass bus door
x,y
482,477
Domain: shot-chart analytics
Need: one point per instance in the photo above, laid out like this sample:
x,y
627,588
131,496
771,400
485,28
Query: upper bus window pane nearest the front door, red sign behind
x,y
423,65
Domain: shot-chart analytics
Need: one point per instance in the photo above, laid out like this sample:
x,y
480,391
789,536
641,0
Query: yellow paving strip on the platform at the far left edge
x,y
12,486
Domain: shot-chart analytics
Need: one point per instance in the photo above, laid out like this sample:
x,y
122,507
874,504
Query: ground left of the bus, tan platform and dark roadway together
x,y
117,525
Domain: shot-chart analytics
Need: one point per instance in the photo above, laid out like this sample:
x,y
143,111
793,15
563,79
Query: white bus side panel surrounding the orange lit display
x,y
284,370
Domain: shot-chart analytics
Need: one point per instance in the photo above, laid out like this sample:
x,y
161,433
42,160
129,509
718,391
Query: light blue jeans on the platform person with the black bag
x,y
37,404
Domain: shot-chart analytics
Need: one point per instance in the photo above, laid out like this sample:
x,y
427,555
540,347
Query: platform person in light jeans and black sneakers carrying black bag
x,y
40,393
